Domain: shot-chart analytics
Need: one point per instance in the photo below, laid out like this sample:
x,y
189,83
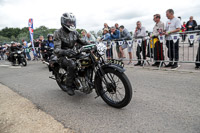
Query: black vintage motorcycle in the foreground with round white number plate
x,y
93,72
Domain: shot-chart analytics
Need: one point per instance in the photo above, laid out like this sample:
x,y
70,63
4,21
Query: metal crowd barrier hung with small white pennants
x,y
178,50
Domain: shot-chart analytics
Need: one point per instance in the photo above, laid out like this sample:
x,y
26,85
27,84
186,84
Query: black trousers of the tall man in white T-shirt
x,y
173,50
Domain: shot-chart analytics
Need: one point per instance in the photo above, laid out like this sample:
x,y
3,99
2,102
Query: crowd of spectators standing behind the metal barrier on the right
x,y
160,32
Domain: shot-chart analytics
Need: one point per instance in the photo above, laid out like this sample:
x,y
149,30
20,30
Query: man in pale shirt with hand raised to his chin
x,y
140,32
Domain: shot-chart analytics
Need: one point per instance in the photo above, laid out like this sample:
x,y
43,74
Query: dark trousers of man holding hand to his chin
x,y
142,49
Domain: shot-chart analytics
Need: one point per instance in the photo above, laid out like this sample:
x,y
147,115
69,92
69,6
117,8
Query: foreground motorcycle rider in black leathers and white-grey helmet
x,y
64,40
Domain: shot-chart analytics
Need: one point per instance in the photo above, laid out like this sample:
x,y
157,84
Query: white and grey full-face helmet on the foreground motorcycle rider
x,y
68,21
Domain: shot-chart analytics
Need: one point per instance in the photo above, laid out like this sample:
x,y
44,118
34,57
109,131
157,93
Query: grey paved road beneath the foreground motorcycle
x,y
163,101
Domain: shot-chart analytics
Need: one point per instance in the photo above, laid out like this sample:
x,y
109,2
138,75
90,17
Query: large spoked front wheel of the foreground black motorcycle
x,y
115,88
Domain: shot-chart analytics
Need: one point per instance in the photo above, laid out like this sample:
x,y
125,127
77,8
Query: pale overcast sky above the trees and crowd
x,y
91,14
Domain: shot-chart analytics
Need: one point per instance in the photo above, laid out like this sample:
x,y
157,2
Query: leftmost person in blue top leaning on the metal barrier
x,y
106,37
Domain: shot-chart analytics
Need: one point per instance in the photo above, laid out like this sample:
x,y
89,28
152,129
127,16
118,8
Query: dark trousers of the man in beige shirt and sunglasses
x,y
158,52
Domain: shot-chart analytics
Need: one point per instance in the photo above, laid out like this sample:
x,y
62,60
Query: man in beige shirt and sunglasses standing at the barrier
x,y
158,46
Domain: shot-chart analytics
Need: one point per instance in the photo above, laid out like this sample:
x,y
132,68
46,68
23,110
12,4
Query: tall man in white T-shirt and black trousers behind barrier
x,y
173,25
